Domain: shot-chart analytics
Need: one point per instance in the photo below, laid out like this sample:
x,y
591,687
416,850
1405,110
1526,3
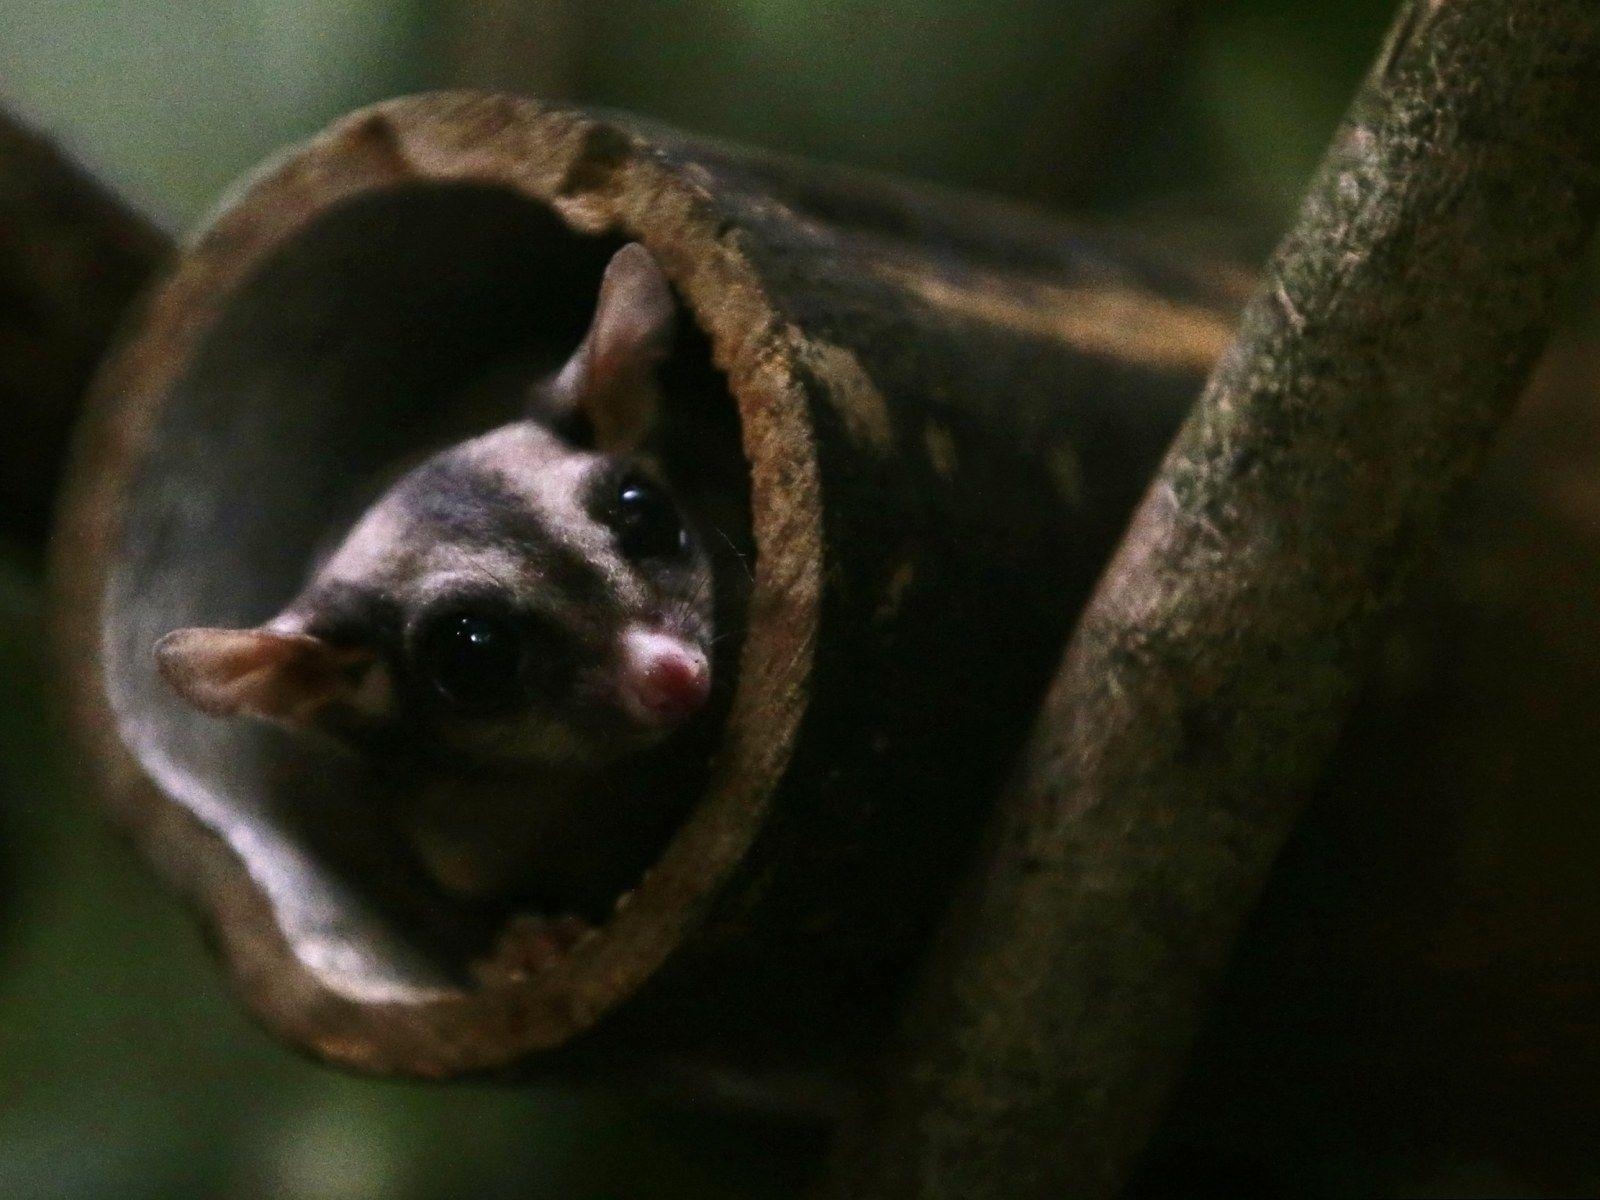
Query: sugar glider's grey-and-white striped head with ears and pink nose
x,y
518,599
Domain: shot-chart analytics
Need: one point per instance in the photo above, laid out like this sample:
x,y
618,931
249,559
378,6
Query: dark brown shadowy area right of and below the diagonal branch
x,y
1410,1010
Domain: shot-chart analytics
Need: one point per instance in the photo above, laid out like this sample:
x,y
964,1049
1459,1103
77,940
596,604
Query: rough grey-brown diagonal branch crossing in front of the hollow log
x,y
1220,655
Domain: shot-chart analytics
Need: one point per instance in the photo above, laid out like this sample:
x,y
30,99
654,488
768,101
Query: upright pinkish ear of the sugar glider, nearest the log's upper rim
x,y
610,377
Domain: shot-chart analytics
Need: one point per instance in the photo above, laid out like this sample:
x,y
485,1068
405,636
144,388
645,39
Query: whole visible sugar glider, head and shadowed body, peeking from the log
x,y
521,631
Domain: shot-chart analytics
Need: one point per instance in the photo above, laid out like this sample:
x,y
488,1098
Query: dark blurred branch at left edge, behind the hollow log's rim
x,y
71,260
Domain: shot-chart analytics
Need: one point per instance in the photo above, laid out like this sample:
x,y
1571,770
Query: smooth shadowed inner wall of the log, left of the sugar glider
x,y
350,351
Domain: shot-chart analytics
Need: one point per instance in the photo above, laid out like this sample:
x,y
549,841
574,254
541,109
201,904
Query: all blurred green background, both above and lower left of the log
x,y
124,1068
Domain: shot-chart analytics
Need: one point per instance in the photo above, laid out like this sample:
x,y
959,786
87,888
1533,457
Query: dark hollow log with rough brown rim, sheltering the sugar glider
x,y
948,409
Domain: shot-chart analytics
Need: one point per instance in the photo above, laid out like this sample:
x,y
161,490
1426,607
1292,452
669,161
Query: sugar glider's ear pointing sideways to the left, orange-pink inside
x,y
260,673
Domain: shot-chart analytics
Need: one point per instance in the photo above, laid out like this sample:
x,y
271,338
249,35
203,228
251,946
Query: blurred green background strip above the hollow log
x,y
175,98
